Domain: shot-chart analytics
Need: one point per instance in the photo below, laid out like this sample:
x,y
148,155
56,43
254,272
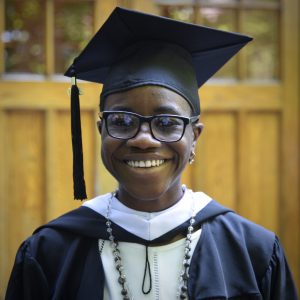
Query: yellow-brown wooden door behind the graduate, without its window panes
x,y
247,157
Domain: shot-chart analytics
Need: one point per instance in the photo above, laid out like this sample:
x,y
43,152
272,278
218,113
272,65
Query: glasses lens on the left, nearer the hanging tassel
x,y
122,125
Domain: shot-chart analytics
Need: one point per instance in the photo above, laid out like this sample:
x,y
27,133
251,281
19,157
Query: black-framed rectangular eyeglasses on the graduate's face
x,y
165,128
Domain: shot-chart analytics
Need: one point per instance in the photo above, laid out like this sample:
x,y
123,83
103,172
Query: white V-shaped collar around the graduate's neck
x,y
150,225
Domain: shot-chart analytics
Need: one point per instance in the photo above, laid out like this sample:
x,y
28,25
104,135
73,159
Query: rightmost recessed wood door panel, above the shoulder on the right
x,y
259,199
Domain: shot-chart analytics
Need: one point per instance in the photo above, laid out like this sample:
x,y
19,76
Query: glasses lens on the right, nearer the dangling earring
x,y
167,128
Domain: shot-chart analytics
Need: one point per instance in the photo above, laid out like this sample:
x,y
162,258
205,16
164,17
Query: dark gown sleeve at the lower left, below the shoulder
x,y
27,280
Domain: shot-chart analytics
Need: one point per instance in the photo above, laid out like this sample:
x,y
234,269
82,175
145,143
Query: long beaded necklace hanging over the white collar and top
x,y
184,276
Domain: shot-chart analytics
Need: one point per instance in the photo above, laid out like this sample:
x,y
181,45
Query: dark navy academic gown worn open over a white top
x,y
233,259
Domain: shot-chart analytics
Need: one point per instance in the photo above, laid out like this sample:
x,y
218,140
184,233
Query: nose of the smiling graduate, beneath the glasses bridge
x,y
144,139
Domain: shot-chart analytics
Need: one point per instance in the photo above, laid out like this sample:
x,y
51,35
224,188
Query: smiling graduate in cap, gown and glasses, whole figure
x,y
152,238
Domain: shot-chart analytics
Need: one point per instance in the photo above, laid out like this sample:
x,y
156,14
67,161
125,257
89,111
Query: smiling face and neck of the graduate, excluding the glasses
x,y
148,188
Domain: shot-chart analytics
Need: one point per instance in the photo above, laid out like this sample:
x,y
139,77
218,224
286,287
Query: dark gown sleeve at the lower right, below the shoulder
x,y
277,283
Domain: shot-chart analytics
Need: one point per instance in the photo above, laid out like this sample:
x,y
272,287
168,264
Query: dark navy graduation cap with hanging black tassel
x,y
132,49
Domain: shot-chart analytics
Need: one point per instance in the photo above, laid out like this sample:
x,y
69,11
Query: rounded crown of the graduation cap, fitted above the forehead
x,y
154,63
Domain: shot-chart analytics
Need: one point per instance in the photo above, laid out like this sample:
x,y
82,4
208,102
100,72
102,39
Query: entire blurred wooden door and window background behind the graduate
x,y
247,157
